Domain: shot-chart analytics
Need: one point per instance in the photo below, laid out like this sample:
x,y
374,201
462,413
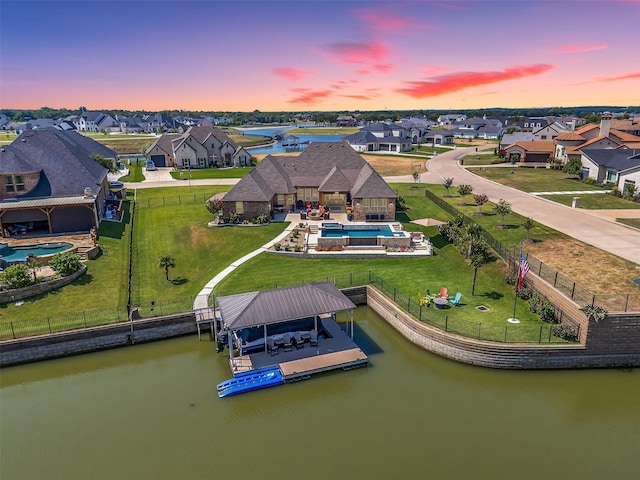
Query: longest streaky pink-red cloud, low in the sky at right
x,y
459,81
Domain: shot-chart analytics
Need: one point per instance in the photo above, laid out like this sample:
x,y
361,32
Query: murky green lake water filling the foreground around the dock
x,y
151,411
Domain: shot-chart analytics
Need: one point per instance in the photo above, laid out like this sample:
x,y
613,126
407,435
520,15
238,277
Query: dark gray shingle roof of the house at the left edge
x,y
62,157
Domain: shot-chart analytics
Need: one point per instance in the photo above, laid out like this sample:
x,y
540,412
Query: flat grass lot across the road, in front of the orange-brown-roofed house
x,y
534,179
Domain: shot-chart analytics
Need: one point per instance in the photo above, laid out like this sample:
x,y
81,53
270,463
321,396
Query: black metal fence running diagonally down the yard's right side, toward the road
x,y
579,294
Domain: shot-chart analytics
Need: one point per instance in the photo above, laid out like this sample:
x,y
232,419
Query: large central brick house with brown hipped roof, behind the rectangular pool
x,y
330,174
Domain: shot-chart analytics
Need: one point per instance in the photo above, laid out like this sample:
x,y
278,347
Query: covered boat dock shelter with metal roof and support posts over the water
x,y
277,311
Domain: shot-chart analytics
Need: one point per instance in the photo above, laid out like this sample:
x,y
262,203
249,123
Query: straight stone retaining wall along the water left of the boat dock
x,y
25,350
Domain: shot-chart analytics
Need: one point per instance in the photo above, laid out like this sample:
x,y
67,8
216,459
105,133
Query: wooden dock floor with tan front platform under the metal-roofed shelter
x,y
337,352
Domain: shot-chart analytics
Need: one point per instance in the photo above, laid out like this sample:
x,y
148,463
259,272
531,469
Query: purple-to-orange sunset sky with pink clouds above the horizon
x,y
322,55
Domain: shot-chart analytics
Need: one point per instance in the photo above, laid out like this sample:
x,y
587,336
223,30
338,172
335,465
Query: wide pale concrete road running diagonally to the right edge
x,y
581,224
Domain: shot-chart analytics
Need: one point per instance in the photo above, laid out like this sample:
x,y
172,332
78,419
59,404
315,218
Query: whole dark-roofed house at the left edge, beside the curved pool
x,y
52,184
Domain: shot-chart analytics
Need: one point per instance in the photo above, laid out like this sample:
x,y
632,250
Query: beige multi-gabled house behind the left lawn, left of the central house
x,y
198,147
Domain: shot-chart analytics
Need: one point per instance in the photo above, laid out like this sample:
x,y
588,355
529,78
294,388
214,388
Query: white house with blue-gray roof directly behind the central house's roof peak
x,y
380,137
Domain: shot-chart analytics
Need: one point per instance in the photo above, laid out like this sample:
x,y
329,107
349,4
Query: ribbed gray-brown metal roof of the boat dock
x,y
275,306
